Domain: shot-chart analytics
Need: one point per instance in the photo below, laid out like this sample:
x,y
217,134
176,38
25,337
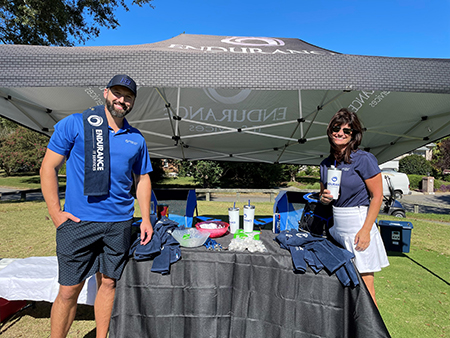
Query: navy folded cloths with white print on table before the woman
x,y
318,253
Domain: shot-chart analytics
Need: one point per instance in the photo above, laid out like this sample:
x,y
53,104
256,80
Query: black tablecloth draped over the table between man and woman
x,y
237,295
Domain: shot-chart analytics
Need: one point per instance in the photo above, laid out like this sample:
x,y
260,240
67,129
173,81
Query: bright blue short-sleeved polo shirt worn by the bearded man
x,y
128,154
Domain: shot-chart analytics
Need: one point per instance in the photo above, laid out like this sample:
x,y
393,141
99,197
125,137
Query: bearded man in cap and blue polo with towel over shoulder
x,y
103,154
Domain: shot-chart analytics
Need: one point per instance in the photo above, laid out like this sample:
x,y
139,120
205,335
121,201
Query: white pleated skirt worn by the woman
x,y
347,222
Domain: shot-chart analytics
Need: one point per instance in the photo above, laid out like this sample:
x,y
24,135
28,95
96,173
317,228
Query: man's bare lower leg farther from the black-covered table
x,y
64,309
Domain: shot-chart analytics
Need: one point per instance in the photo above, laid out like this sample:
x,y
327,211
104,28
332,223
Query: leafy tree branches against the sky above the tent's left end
x,y
57,22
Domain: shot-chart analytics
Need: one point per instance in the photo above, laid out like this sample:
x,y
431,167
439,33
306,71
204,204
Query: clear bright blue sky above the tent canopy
x,y
396,28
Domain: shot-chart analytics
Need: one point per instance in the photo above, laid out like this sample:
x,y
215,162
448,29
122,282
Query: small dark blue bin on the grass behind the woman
x,y
396,235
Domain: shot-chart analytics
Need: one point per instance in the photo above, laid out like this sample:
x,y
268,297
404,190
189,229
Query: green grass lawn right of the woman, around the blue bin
x,y
413,292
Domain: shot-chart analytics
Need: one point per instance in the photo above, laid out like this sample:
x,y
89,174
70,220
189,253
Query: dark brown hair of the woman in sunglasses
x,y
344,116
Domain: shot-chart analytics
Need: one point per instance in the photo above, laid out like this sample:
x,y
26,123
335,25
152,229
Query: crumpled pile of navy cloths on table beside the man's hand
x,y
163,248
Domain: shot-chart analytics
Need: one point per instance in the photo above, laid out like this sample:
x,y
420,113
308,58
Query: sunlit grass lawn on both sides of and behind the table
x,y
412,293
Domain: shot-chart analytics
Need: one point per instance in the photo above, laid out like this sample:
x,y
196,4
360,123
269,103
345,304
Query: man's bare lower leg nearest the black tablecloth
x,y
104,303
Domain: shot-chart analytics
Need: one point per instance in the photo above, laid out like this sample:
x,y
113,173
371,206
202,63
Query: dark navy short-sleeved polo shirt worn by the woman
x,y
353,191
